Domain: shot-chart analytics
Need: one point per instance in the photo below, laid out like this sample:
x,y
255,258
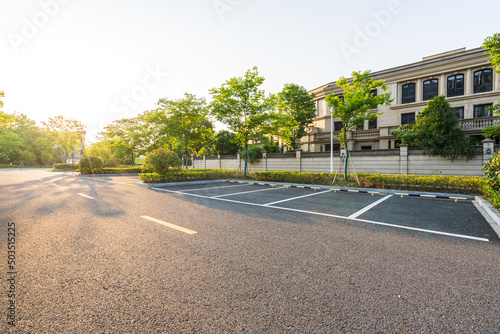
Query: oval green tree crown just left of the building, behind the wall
x,y
296,109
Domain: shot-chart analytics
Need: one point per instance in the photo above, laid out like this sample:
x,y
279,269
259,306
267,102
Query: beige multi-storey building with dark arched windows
x,y
465,77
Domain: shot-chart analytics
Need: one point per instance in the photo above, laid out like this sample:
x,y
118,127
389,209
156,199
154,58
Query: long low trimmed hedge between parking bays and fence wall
x,y
450,184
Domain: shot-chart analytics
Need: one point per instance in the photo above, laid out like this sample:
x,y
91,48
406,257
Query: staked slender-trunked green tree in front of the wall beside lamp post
x,y
356,104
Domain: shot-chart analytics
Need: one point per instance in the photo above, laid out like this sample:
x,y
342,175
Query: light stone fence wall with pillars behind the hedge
x,y
396,161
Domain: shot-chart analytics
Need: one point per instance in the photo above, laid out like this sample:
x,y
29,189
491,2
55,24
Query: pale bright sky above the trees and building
x,y
98,61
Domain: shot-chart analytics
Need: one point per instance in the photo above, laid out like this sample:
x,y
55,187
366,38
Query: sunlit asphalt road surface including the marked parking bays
x,y
101,255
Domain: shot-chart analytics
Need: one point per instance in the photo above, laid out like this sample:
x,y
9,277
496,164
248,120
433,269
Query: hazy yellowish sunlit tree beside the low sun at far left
x,y
69,133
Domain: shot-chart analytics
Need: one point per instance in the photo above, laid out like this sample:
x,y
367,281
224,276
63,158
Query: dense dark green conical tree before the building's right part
x,y
438,130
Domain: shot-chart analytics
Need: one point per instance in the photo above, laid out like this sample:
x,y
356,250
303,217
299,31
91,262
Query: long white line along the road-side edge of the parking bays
x,y
332,216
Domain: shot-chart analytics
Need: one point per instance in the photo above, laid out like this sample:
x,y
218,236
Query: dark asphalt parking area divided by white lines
x,y
439,216
